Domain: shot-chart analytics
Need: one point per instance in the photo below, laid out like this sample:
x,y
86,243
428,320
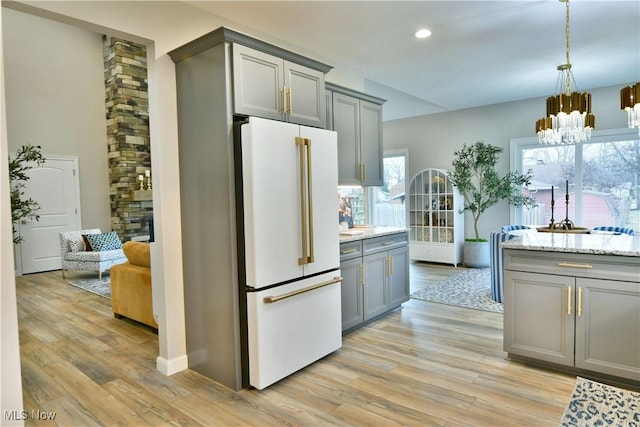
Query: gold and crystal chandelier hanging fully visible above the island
x,y
569,119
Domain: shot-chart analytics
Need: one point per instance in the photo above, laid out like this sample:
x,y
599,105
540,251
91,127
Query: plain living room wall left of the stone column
x,y
55,99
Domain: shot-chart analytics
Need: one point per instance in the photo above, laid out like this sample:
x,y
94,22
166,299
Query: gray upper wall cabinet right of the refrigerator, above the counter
x,y
357,118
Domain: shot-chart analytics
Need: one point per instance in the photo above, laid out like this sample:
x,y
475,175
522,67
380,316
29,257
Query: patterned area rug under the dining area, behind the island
x,y
470,288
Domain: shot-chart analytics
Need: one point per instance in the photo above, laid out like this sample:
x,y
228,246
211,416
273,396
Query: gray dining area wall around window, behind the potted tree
x,y
432,139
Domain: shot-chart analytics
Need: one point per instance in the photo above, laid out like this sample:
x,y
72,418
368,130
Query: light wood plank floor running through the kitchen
x,y
426,364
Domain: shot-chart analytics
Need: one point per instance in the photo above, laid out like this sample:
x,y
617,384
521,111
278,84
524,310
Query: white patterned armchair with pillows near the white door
x,y
76,252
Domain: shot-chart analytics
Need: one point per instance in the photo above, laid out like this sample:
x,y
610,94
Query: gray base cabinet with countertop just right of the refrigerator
x,y
374,263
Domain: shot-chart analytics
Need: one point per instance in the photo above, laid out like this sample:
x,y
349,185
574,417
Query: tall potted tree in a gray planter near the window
x,y
474,174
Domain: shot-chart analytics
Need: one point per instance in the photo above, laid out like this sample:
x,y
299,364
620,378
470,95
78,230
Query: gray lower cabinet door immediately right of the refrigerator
x,y
352,303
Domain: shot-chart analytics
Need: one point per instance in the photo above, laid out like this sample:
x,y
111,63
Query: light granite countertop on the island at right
x,y
597,244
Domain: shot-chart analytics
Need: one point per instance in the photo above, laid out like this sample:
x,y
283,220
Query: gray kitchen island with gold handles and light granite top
x,y
572,301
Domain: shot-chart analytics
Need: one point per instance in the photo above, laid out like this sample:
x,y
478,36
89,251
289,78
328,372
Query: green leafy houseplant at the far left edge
x,y
23,208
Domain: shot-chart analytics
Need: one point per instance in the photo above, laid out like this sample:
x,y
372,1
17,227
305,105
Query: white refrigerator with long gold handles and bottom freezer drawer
x,y
291,247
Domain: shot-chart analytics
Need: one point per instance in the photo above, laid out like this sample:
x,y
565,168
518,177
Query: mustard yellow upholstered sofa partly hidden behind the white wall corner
x,y
131,295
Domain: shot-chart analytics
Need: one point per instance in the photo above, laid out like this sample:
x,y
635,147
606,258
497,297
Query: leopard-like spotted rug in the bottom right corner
x,y
596,404
